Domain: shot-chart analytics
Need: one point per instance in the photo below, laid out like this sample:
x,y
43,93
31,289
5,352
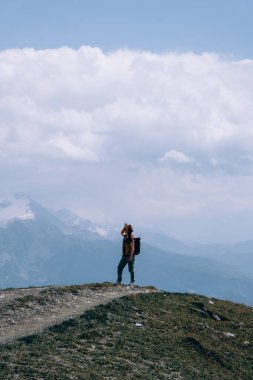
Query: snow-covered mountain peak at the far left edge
x,y
14,207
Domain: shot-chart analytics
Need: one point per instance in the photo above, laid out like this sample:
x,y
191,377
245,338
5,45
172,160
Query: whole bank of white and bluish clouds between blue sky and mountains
x,y
129,134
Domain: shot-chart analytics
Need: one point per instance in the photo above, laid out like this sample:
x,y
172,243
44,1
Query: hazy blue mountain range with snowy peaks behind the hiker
x,y
39,246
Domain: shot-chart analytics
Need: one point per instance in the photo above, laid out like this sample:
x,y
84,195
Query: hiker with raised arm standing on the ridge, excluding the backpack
x,y
127,253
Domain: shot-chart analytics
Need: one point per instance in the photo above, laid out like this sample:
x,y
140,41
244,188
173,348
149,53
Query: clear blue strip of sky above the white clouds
x,y
222,26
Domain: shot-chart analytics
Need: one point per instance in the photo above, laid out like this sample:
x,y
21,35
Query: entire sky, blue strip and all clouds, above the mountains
x,y
131,111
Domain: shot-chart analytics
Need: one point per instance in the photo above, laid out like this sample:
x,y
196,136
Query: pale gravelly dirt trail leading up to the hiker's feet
x,y
27,311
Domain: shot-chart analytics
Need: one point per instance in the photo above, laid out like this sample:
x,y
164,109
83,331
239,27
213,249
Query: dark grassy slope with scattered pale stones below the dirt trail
x,y
181,337
